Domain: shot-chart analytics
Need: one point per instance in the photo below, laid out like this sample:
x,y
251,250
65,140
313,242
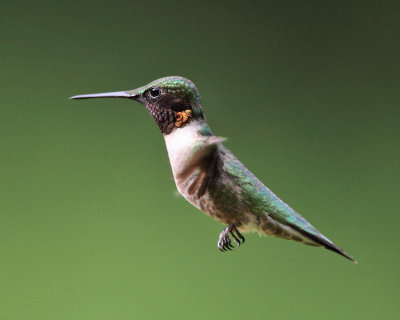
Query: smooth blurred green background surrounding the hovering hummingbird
x,y
90,225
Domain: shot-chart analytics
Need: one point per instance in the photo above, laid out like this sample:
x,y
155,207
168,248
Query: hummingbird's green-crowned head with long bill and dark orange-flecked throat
x,y
173,102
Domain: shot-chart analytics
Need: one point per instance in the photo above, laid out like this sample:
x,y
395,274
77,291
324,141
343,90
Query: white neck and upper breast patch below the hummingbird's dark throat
x,y
181,141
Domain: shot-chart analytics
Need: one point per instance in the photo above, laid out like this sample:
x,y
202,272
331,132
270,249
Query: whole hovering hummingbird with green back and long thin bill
x,y
209,176
